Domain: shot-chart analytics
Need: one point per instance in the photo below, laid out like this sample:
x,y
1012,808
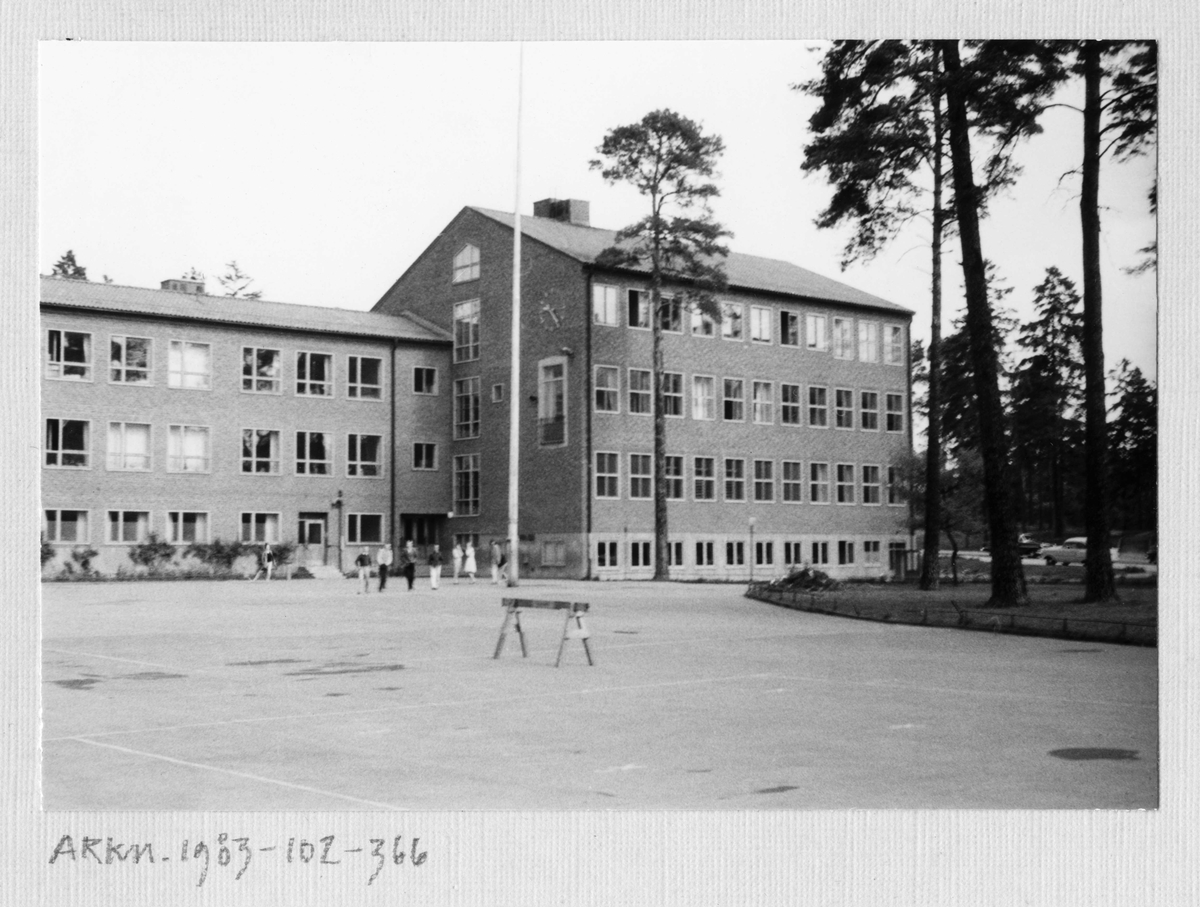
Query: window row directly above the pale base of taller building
x,y
728,479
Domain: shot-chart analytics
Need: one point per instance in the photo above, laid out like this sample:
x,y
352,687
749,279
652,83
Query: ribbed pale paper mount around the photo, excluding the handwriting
x,y
615,858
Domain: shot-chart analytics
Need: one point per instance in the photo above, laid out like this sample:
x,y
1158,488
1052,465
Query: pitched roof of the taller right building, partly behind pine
x,y
743,272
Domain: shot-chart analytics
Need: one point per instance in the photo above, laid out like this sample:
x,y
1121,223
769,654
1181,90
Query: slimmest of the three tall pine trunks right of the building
x,y
929,572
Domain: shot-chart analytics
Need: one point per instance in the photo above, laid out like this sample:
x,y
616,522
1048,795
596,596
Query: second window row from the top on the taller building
x,y
728,399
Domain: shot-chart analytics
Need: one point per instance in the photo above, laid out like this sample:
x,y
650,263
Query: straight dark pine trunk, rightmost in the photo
x,y
1099,582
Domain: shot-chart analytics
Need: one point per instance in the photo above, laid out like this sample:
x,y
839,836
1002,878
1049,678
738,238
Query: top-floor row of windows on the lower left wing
x,y
69,357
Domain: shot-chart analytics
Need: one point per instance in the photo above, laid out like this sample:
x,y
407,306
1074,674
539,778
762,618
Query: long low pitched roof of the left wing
x,y
249,313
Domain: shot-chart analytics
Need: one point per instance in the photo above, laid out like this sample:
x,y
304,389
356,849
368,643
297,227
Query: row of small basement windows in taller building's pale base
x,y
705,554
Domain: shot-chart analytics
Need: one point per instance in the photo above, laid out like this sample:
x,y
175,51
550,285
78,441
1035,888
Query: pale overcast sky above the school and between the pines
x,y
326,170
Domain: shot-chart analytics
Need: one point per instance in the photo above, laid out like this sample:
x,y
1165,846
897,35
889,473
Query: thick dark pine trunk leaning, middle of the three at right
x,y
1007,576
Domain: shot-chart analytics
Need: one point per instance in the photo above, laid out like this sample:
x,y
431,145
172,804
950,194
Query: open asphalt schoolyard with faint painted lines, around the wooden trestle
x,y
305,695
